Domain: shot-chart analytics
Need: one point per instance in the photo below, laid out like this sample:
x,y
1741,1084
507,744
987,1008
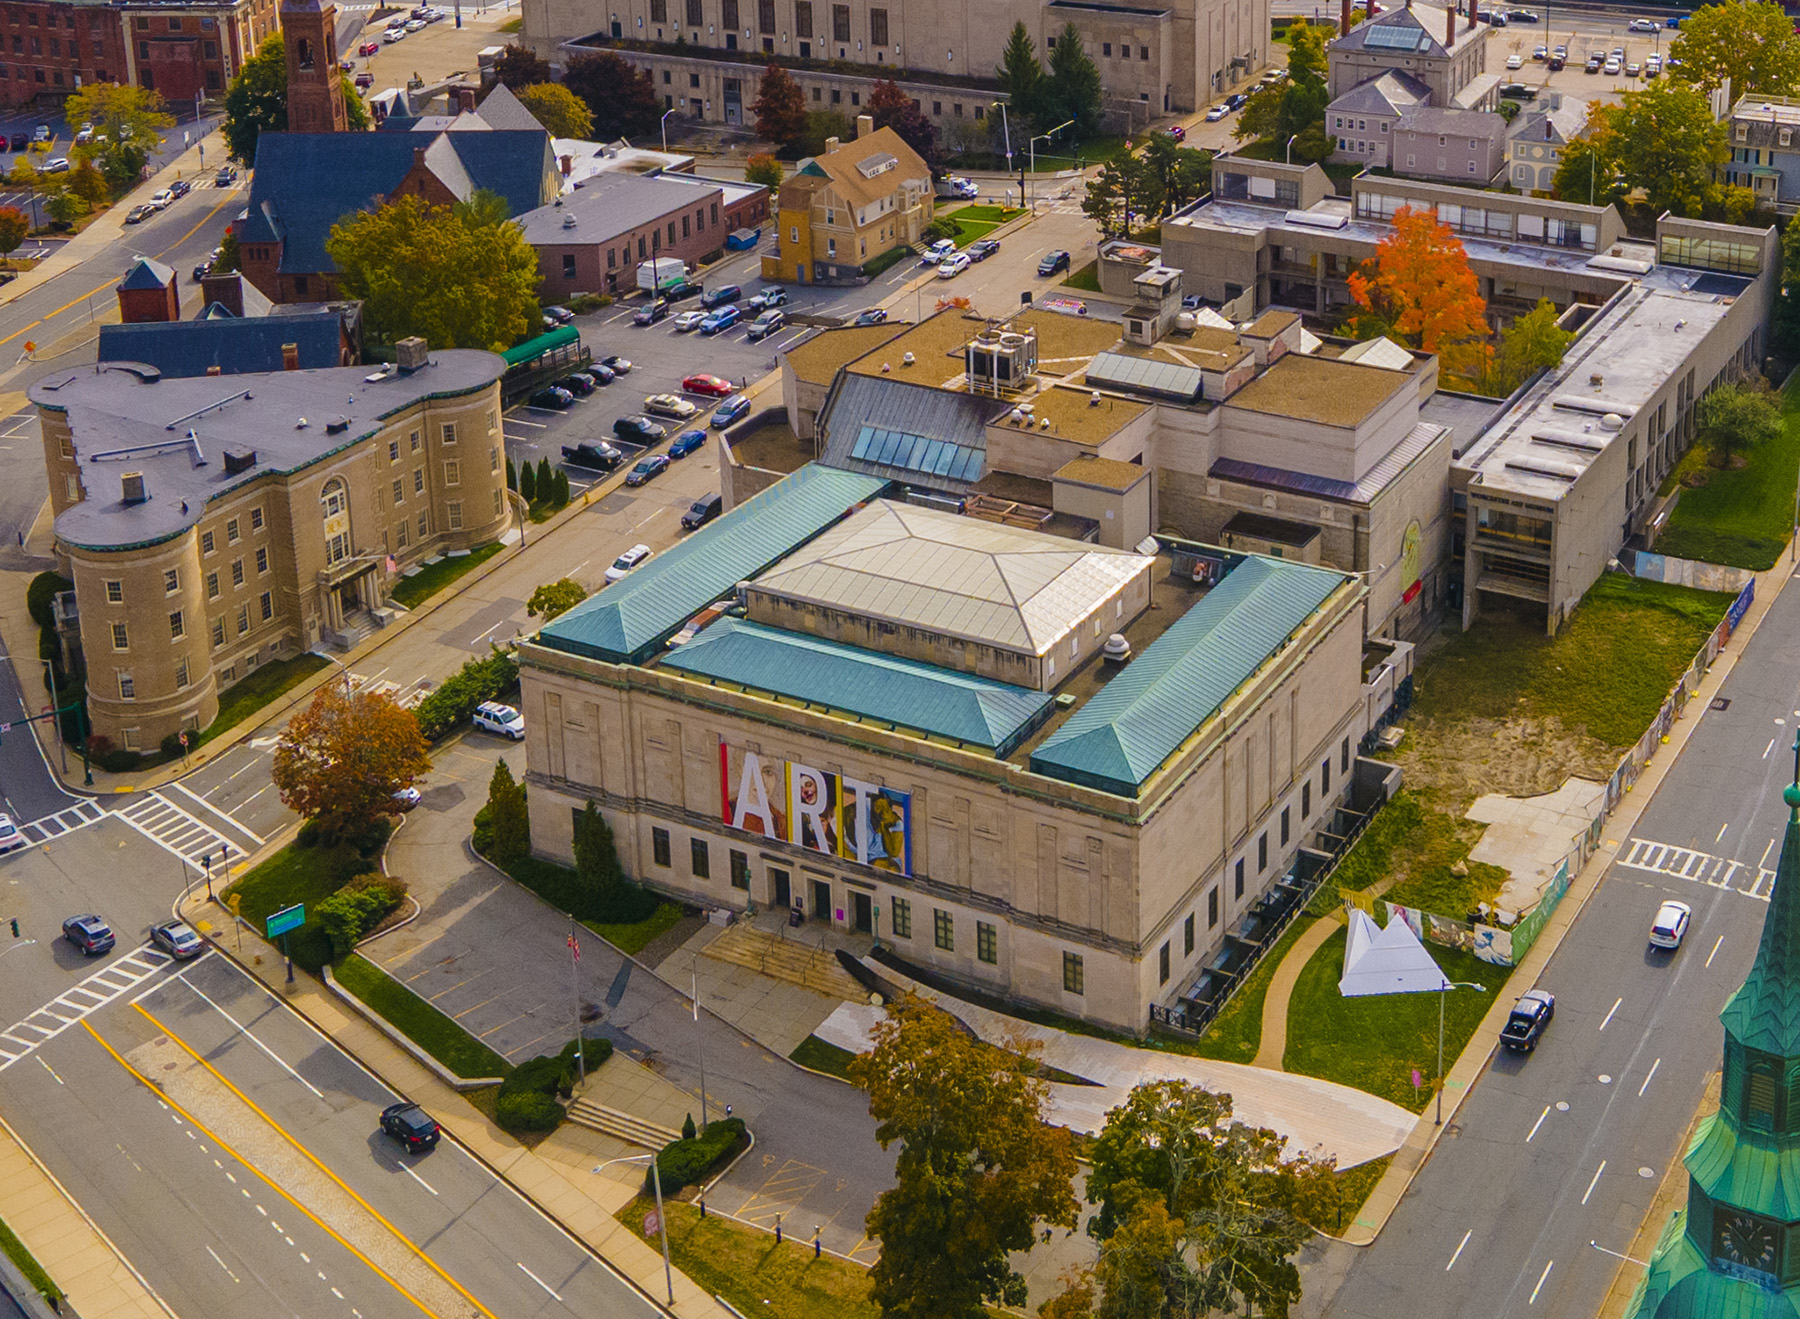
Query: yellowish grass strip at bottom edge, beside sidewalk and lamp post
x,y
753,1273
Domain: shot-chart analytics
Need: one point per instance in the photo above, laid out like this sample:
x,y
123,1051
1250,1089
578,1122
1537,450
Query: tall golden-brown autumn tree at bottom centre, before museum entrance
x,y
978,1169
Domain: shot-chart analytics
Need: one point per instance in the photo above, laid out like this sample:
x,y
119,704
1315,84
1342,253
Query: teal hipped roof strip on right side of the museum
x,y
1137,722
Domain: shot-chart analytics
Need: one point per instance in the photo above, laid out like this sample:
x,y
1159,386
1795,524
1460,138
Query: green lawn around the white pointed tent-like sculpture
x,y
1376,1043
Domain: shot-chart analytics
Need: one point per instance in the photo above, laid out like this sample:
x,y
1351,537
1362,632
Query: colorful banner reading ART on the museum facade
x,y
816,811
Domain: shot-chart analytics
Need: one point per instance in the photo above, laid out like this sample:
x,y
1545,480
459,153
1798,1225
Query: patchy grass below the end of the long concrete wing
x,y
1606,672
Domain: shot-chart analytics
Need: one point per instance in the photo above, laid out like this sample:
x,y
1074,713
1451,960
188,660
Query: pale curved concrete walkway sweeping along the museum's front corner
x,y
1317,1117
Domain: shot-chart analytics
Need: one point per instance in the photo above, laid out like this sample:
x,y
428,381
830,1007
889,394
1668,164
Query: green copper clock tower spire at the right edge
x,y
1736,1248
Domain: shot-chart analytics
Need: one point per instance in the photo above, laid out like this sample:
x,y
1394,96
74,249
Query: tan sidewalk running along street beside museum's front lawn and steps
x,y
557,1176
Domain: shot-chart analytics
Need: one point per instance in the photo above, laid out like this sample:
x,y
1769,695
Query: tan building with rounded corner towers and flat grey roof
x,y
217,523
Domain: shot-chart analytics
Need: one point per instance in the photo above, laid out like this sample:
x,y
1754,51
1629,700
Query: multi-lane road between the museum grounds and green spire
x,y
1567,1145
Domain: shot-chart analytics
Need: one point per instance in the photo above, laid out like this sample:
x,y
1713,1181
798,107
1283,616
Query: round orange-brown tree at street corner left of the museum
x,y
341,760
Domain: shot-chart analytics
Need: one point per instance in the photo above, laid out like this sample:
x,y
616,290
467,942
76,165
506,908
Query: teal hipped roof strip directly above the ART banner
x,y
865,685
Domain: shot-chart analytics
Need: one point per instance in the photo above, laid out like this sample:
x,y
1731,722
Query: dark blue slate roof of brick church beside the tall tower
x,y
307,183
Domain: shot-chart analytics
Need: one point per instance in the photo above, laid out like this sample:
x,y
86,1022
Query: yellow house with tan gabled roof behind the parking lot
x,y
849,206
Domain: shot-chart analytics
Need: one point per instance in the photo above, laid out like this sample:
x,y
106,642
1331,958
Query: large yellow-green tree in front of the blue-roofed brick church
x,y
447,274
